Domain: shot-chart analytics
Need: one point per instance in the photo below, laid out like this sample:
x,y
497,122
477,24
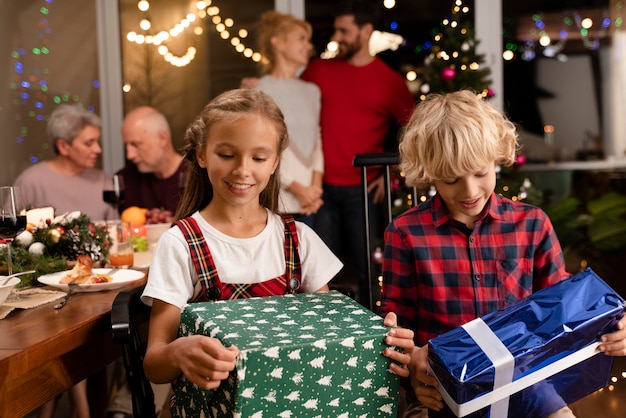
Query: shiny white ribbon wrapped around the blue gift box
x,y
504,364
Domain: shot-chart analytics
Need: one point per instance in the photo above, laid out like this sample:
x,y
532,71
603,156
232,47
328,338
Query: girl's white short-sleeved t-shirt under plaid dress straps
x,y
173,279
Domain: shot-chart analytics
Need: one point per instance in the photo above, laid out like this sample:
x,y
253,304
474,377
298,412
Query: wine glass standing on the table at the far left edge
x,y
12,218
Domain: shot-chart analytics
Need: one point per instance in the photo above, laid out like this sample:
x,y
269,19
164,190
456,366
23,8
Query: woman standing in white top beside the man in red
x,y
285,43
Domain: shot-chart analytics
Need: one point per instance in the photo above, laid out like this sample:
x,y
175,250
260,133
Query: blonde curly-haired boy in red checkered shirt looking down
x,y
467,251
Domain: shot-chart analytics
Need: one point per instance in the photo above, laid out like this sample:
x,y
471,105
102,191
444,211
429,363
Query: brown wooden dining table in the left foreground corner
x,y
45,351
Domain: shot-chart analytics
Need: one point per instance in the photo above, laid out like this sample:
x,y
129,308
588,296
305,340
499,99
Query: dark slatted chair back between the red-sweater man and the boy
x,y
386,160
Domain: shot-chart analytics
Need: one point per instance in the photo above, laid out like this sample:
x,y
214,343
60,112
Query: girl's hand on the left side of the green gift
x,y
204,360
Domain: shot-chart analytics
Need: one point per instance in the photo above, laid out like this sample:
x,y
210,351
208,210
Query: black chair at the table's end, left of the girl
x,y
129,325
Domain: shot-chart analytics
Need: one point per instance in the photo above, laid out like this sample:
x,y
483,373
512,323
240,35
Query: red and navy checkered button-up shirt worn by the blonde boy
x,y
439,274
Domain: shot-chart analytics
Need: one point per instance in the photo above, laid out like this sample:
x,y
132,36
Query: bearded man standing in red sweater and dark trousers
x,y
361,100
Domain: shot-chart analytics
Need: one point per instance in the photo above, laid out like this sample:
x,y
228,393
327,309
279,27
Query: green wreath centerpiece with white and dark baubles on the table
x,y
53,244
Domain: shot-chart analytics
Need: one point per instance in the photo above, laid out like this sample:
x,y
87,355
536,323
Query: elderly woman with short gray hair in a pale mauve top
x,y
69,182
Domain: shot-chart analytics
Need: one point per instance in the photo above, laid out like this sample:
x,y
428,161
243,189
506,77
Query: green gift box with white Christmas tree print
x,y
304,355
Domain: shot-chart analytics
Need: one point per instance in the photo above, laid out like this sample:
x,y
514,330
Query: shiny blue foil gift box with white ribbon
x,y
532,357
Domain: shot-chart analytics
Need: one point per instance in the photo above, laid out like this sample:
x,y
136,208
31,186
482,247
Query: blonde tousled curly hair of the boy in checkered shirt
x,y
451,135
